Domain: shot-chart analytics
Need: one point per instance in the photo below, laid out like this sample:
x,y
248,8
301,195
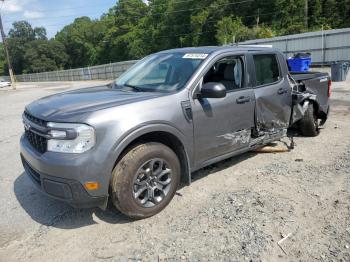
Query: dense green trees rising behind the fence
x,y
132,29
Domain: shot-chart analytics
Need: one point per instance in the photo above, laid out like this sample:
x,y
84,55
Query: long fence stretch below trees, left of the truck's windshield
x,y
100,72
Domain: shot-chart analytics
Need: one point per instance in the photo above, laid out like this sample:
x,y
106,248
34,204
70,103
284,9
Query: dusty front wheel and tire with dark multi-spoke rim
x,y
139,170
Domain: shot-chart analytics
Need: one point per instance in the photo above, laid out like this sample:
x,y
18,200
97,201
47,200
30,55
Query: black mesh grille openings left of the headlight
x,y
37,141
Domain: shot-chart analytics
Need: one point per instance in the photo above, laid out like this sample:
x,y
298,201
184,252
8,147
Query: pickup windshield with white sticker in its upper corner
x,y
161,72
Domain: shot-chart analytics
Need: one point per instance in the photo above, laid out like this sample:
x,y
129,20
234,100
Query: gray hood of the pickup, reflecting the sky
x,y
73,105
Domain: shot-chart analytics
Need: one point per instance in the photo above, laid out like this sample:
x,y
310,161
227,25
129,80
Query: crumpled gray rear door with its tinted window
x,y
272,90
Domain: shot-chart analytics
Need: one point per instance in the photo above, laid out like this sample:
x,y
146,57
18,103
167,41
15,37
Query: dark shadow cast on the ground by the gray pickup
x,y
50,212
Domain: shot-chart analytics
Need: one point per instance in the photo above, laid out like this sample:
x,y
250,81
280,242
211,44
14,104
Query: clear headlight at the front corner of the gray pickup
x,y
70,138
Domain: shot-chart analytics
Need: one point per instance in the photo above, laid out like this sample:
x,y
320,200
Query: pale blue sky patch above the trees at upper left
x,y
51,14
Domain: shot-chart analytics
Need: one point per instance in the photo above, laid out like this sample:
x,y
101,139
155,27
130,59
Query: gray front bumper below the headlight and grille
x,y
58,185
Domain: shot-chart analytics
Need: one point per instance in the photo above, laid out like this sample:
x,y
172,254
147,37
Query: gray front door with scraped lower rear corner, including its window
x,y
223,125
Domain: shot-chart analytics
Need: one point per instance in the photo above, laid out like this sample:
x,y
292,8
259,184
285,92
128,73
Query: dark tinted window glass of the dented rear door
x,y
266,69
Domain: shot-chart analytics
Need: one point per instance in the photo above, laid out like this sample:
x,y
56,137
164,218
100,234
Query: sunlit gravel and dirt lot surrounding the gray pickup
x,y
235,210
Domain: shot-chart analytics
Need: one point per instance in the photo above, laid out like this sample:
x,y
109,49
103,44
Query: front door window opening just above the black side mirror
x,y
229,71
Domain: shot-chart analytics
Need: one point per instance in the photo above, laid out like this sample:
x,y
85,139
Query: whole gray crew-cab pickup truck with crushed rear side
x,y
172,113
